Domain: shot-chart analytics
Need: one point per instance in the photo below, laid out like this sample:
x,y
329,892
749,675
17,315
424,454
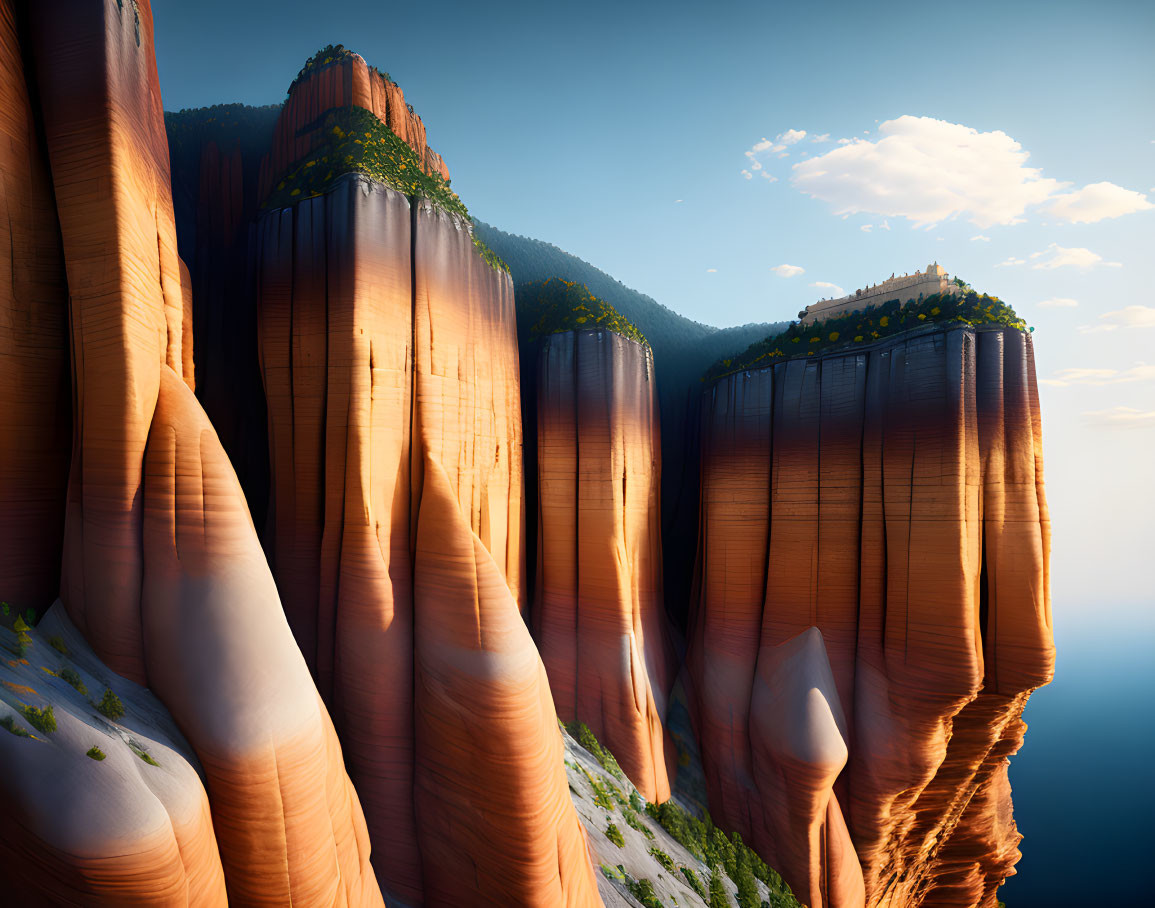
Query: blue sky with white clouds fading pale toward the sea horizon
x,y
621,132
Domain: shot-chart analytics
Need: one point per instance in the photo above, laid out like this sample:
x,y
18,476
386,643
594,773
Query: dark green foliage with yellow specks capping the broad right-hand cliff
x,y
859,330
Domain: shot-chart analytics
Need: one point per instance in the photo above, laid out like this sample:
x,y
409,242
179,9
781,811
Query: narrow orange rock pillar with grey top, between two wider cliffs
x,y
599,615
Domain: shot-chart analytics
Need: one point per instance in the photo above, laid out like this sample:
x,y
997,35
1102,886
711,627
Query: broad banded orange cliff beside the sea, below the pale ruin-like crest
x,y
874,612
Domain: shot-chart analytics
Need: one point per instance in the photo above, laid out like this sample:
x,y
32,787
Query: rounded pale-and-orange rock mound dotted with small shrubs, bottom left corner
x,y
102,812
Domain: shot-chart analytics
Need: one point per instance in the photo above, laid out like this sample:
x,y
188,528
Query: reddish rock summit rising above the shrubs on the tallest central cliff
x,y
333,79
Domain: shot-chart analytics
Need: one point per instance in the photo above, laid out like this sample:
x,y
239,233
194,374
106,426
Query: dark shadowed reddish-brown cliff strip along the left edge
x,y
35,398
